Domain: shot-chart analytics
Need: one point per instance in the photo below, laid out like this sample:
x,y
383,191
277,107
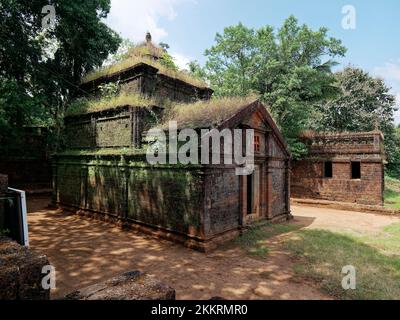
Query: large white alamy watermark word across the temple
x,y
172,147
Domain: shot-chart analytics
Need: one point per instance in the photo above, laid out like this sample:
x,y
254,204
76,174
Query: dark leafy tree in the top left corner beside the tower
x,y
44,67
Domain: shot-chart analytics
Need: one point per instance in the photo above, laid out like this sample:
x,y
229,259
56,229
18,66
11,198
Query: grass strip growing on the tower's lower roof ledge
x,y
84,105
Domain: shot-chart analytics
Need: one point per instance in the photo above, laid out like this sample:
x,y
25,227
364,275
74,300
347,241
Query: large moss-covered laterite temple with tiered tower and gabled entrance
x,y
104,172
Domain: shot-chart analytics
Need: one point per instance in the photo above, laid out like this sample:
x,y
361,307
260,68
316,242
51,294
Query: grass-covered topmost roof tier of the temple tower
x,y
148,54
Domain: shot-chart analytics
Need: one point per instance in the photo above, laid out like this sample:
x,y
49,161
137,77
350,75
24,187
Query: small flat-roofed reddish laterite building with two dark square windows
x,y
347,167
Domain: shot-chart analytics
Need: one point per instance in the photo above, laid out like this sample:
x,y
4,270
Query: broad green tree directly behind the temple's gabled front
x,y
290,69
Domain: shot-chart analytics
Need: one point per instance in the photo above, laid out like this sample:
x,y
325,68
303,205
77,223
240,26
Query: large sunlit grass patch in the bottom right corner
x,y
376,258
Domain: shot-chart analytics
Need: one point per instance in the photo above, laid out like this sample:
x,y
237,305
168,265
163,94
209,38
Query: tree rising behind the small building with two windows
x,y
364,104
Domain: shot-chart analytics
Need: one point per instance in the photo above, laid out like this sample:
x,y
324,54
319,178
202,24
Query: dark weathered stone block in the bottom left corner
x,y
21,272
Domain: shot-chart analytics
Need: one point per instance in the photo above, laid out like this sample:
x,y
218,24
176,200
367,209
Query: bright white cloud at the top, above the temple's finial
x,y
133,18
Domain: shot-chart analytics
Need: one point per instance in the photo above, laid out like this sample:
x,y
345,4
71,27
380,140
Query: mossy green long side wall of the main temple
x,y
130,189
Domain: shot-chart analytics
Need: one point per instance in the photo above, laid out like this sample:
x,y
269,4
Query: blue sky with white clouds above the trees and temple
x,y
189,27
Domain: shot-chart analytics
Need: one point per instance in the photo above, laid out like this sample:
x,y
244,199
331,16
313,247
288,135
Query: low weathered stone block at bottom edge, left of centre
x,y
133,285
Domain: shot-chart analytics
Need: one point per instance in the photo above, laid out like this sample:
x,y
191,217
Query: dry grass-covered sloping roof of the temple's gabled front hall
x,y
205,114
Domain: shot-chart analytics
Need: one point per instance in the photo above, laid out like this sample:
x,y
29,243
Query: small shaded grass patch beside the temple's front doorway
x,y
254,239
